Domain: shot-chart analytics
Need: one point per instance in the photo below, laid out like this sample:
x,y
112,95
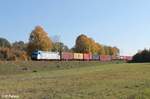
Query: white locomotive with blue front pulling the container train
x,y
45,55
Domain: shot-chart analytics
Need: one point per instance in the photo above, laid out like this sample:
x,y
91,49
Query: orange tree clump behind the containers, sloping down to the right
x,y
85,44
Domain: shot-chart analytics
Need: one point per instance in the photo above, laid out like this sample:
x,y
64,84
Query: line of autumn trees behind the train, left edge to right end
x,y
39,40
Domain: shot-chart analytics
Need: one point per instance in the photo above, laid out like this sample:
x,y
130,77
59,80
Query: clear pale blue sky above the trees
x,y
121,23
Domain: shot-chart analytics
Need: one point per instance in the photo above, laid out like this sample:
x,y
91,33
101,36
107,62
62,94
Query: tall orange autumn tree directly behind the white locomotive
x,y
39,40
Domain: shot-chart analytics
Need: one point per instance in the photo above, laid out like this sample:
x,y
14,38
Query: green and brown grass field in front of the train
x,y
75,80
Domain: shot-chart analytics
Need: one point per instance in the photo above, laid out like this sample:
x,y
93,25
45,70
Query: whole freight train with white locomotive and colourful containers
x,y
68,56
